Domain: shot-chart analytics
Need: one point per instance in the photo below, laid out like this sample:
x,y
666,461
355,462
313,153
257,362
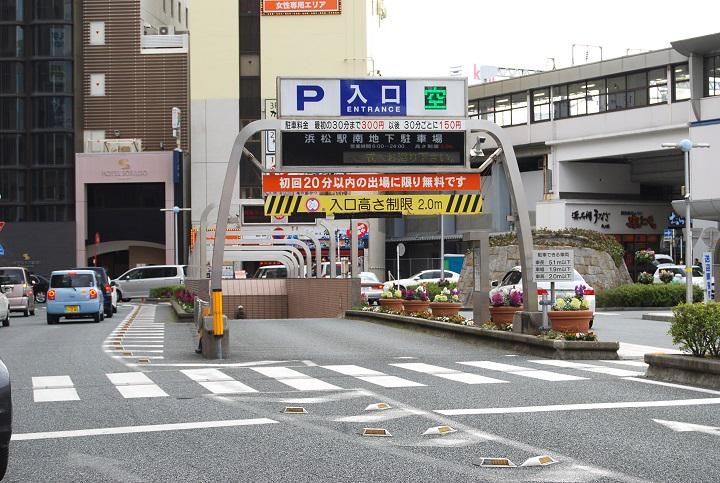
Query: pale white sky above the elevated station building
x,y
425,37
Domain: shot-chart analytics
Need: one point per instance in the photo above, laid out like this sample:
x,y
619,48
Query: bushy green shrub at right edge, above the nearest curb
x,y
696,327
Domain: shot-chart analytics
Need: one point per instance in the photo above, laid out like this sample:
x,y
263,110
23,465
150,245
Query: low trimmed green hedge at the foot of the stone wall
x,y
640,295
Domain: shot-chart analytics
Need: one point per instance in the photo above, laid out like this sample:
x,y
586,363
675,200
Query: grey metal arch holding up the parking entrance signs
x,y
512,173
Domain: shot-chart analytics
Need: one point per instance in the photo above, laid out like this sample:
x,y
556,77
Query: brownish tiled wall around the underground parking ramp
x,y
283,298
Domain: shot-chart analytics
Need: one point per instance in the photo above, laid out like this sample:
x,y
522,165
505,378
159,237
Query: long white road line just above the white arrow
x,y
581,407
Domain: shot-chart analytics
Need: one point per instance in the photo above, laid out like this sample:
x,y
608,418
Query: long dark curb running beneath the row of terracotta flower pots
x,y
553,349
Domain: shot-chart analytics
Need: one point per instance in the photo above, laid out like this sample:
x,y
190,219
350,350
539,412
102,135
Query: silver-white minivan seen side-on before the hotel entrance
x,y
137,282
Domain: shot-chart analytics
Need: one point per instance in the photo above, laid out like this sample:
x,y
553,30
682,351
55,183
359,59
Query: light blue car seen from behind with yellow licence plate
x,y
74,294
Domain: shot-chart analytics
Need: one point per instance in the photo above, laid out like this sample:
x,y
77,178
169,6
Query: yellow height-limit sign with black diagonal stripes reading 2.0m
x,y
392,204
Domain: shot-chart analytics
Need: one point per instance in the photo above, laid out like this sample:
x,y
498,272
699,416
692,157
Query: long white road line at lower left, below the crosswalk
x,y
141,429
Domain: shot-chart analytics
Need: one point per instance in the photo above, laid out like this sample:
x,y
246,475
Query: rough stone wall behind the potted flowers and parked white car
x,y
596,267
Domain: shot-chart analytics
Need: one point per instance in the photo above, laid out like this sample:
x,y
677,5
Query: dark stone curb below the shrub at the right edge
x,y
684,369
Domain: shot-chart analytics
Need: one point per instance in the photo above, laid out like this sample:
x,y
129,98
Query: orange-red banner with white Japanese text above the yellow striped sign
x,y
302,183
